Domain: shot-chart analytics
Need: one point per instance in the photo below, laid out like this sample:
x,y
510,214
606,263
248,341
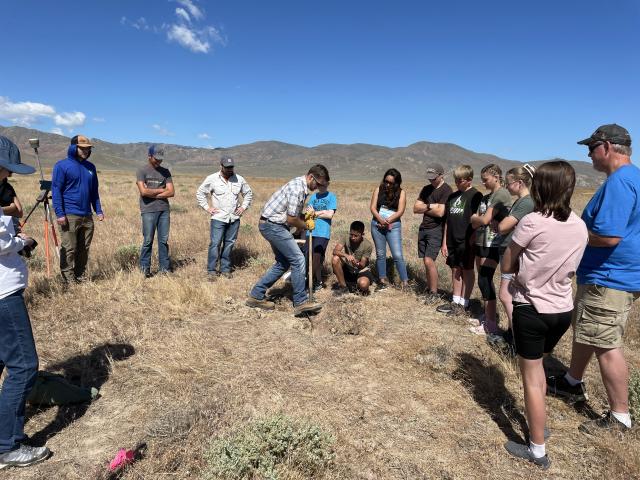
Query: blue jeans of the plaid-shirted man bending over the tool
x,y
287,254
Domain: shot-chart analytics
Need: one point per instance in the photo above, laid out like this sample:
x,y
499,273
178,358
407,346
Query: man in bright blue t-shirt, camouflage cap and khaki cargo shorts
x,y
608,278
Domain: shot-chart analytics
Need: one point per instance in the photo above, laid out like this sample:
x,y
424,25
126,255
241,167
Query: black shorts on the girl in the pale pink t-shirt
x,y
537,333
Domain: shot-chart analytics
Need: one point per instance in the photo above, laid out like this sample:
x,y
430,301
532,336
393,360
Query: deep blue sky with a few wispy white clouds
x,y
520,79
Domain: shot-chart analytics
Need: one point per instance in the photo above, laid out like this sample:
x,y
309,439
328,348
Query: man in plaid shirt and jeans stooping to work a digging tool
x,y
281,212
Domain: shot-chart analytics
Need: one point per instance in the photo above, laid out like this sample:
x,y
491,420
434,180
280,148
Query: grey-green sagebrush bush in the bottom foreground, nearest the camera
x,y
267,448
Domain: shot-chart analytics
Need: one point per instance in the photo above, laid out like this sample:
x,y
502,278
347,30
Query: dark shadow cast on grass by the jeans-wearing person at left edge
x,y
89,370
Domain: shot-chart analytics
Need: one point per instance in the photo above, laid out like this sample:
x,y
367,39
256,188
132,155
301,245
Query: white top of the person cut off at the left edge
x,y
13,269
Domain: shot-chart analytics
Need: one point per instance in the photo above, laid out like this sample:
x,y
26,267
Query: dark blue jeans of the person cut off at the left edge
x,y
18,355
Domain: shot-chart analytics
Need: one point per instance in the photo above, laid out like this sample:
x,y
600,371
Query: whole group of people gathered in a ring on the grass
x,y
536,240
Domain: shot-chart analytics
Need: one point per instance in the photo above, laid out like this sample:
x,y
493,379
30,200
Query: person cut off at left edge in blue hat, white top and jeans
x,y
17,347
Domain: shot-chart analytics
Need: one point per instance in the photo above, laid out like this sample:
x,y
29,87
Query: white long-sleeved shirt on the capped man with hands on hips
x,y
224,195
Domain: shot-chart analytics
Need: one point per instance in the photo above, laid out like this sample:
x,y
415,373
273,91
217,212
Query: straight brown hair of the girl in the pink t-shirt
x,y
552,188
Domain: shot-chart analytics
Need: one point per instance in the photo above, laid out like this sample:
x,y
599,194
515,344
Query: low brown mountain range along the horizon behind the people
x,y
357,161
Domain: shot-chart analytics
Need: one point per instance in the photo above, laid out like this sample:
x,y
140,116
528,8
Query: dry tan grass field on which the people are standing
x,y
405,392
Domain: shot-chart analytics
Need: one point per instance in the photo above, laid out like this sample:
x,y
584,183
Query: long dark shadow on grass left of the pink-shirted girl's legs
x,y
486,385
